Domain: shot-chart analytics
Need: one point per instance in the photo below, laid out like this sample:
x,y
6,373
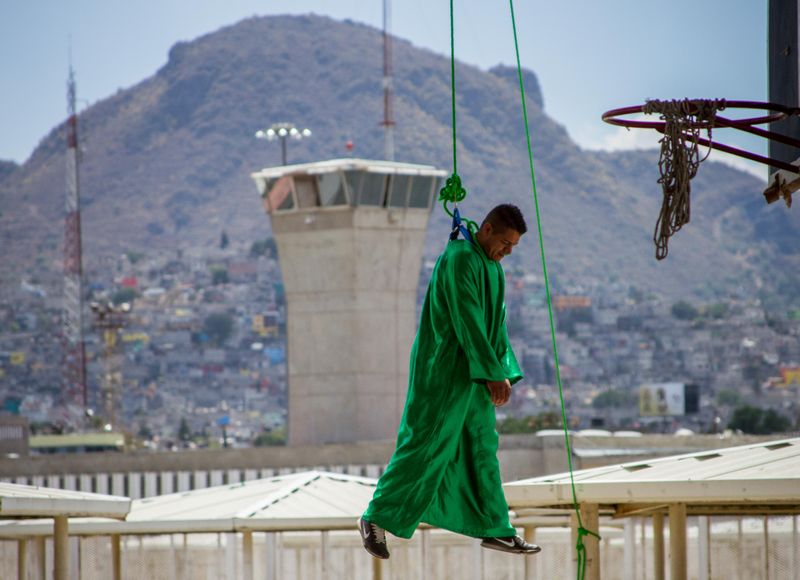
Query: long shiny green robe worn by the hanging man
x,y
444,470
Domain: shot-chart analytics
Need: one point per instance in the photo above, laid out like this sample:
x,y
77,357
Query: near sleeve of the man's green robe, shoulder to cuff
x,y
463,288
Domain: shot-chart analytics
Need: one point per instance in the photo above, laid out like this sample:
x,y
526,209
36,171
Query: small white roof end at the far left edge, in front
x,y
32,501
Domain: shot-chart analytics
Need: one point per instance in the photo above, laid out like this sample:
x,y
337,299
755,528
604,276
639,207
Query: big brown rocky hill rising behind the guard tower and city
x,y
167,162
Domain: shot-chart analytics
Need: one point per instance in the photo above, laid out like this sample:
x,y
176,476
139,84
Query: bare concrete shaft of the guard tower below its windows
x,y
351,276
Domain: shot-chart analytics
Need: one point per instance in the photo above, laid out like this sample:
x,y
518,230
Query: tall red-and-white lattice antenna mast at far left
x,y
74,375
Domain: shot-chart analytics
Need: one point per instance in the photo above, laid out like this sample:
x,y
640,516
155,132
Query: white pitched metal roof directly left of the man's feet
x,y
310,500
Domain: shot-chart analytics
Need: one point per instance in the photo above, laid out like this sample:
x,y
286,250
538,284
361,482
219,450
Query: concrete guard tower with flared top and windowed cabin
x,y
349,234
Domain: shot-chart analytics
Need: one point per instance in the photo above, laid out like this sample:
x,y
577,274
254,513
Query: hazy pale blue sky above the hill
x,y
589,55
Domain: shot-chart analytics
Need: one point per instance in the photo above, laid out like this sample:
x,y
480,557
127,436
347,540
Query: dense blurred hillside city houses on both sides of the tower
x,y
200,358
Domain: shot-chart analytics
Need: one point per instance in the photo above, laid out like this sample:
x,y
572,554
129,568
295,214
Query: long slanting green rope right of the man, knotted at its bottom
x,y
581,549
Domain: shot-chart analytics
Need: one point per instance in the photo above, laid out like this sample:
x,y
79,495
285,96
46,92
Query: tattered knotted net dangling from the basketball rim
x,y
684,120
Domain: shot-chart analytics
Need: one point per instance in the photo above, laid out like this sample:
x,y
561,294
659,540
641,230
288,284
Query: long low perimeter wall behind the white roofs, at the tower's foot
x,y
147,474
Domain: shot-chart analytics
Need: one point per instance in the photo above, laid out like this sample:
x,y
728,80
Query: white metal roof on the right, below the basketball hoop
x,y
750,477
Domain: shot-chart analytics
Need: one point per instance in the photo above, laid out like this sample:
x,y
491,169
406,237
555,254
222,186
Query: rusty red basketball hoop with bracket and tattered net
x,y
681,124
